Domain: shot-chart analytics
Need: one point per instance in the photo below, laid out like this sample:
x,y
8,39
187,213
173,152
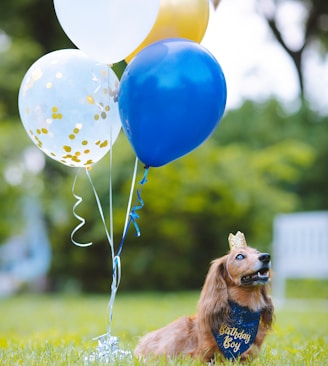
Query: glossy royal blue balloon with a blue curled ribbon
x,y
171,98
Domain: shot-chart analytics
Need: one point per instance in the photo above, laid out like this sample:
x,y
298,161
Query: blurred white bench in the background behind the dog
x,y
300,248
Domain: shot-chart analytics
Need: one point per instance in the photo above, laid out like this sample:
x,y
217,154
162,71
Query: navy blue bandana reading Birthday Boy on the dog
x,y
236,337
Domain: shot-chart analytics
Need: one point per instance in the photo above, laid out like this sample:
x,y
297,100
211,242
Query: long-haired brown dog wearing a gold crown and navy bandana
x,y
234,312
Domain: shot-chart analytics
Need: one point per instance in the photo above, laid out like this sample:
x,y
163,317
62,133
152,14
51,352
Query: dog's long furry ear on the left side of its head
x,y
213,308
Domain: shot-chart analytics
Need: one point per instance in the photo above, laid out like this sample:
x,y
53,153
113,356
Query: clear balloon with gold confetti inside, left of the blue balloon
x,y
68,106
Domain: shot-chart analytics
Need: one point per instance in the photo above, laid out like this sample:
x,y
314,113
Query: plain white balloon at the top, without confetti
x,y
107,30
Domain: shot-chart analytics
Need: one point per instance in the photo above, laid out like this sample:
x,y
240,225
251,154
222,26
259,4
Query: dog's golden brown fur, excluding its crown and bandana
x,y
193,335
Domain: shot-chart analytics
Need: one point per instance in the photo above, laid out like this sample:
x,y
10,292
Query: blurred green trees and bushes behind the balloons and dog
x,y
262,160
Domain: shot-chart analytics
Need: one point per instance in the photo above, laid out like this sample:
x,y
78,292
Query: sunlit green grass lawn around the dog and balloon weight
x,y
59,329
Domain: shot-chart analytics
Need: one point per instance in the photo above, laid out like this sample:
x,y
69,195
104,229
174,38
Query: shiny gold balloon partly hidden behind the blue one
x,y
178,19
